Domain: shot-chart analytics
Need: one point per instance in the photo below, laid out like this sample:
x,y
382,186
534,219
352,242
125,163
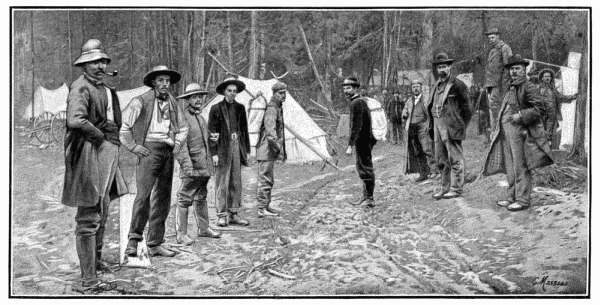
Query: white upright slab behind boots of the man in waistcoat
x,y
143,258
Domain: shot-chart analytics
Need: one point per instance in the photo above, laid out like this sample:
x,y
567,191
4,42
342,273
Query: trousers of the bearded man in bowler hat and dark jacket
x,y
449,158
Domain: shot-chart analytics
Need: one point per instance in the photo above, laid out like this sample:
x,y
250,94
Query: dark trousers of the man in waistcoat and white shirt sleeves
x,y
154,175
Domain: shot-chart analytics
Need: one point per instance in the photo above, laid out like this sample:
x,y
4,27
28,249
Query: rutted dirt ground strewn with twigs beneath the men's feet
x,y
409,244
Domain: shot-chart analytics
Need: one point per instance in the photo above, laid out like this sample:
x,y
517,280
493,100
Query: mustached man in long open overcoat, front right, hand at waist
x,y
519,142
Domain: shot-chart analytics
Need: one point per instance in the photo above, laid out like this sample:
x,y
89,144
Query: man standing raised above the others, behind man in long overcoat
x,y
496,79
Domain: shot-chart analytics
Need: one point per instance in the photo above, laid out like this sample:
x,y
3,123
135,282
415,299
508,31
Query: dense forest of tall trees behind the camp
x,y
260,44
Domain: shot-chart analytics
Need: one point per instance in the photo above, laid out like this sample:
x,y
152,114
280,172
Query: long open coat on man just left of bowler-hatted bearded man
x,y
411,164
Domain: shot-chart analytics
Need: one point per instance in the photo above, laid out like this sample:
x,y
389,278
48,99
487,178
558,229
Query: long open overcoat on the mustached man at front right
x,y
537,149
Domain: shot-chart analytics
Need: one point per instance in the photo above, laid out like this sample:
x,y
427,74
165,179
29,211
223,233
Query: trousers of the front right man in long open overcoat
x,y
517,174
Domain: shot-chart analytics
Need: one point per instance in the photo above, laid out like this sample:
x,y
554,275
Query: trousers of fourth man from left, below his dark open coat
x,y
229,182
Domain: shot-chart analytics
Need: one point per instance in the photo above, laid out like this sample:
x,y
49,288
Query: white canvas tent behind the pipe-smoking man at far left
x,y
55,101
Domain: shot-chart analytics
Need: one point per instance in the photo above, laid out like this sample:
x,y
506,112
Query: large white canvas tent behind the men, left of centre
x,y
296,120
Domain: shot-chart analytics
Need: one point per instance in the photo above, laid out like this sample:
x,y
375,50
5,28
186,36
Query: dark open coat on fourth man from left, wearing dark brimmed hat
x,y
218,122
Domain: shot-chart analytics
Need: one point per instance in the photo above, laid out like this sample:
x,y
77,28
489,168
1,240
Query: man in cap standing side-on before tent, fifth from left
x,y
270,148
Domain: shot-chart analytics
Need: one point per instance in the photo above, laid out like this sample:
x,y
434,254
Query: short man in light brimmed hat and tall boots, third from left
x,y
196,168
